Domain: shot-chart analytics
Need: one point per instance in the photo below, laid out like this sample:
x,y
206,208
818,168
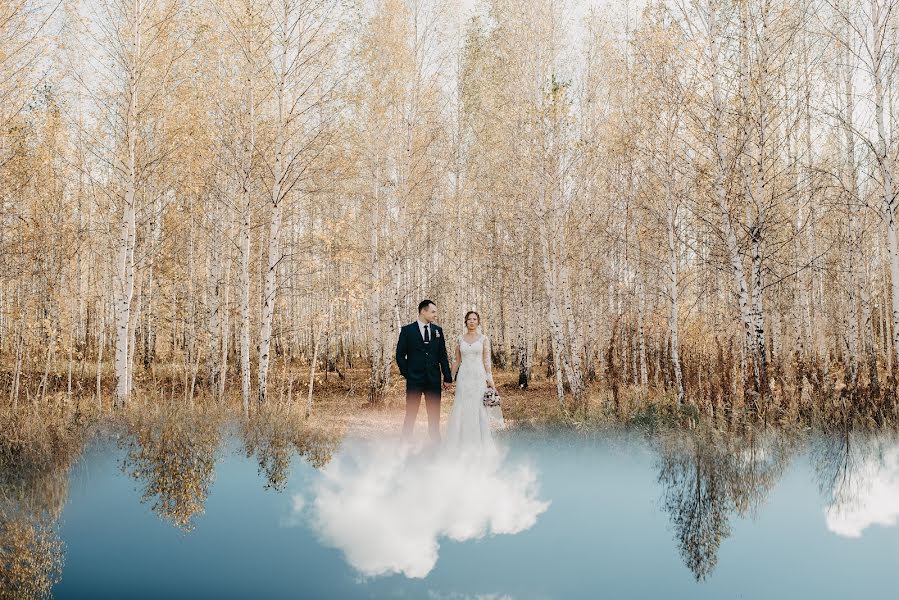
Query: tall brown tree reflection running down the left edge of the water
x,y
34,468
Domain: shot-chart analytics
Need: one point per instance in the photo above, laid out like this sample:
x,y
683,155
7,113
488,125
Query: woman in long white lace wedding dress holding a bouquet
x,y
470,421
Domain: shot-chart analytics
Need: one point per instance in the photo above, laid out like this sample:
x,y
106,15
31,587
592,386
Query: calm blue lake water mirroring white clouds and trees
x,y
611,515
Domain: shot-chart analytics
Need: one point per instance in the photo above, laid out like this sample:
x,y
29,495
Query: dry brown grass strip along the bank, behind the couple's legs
x,y
339,402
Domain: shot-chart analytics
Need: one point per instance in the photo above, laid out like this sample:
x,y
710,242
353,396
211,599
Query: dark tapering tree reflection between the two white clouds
x,y
708,476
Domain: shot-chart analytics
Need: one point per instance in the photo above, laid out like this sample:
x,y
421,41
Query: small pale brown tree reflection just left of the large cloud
x,y
273,438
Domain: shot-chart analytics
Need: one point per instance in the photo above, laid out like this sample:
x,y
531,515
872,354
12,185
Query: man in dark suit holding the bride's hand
x,y
421,356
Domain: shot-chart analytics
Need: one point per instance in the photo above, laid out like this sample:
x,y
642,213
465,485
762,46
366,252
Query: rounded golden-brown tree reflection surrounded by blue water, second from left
x,y
173,455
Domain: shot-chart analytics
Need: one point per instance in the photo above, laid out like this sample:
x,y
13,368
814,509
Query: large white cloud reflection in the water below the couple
x,y
386,505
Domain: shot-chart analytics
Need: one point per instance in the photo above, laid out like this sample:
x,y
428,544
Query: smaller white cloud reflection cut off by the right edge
x,y
872,497
